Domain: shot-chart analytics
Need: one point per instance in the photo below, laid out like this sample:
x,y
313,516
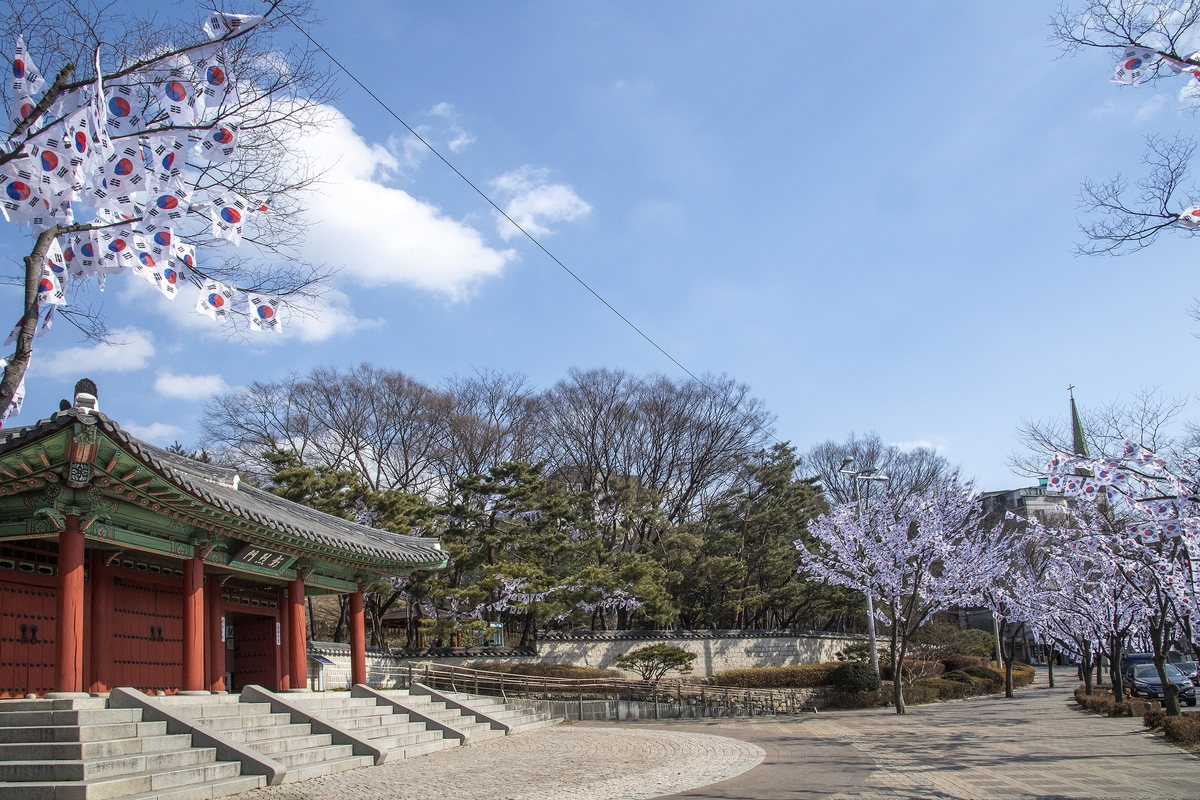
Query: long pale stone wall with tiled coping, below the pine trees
x,y
716,651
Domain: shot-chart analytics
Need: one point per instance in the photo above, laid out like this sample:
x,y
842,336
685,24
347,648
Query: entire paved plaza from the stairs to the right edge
x,y
1035,747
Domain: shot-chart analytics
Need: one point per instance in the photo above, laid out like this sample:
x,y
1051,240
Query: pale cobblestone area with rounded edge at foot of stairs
x,y
565,762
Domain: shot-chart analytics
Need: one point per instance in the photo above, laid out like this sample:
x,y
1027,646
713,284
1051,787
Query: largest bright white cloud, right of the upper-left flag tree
x,y
381,234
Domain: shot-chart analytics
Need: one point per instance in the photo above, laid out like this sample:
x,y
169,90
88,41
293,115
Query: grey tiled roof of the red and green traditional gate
x,y
218,486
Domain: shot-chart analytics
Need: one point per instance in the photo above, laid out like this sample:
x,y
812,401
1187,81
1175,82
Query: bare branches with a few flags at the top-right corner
x,y
1149,43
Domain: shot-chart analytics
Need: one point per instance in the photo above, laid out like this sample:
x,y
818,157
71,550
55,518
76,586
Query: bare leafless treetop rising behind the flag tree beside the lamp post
x,y
910,472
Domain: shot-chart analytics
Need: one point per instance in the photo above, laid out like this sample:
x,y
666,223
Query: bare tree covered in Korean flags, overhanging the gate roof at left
x,y
169,151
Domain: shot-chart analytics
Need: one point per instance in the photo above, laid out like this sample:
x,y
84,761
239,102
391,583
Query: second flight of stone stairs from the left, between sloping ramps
x,y
304,754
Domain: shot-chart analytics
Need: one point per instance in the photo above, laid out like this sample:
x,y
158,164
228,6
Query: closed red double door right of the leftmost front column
x,y
148,635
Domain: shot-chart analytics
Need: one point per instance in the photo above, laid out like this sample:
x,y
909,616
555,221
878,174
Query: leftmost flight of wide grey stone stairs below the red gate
x,y
81,750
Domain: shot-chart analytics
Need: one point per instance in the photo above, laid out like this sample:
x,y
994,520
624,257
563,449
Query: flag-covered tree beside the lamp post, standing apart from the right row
x,y
919,557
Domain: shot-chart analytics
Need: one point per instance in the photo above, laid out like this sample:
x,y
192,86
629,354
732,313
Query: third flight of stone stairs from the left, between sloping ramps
x,y
377,724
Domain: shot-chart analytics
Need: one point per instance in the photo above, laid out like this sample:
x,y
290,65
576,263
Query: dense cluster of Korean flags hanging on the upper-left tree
x,y
94,147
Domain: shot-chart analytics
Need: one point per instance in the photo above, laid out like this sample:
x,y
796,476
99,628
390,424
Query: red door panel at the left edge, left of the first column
x,y
27,635
